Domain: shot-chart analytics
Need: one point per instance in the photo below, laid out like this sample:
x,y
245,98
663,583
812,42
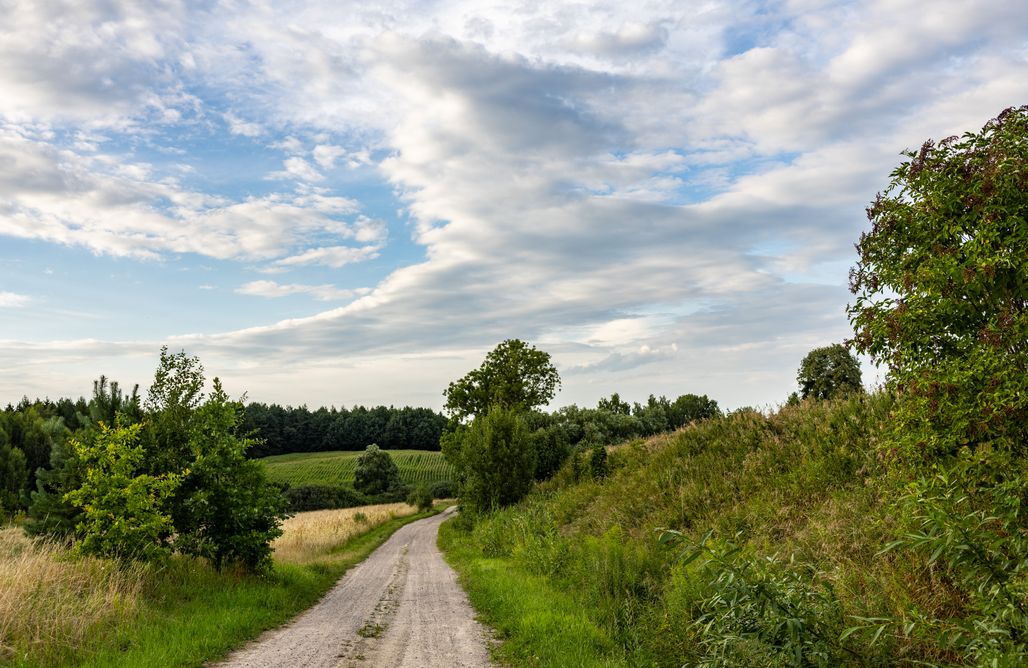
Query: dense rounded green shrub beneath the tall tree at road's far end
x,y
495,459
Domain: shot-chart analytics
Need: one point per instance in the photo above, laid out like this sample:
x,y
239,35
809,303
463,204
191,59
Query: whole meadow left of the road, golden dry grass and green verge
x,y
59,610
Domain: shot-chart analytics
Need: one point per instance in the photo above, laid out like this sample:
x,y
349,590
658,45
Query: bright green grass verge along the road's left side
x,y
194,615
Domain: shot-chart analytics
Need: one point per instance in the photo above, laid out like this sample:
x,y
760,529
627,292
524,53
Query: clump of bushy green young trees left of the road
x,y
171,477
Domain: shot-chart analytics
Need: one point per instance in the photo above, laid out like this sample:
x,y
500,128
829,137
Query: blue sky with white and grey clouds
x,y
341,204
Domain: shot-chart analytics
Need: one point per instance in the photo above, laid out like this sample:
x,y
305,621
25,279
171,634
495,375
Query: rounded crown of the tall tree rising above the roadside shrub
x,y
513,376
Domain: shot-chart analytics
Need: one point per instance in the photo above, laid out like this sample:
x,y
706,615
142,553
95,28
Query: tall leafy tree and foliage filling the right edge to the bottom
x,y
942,300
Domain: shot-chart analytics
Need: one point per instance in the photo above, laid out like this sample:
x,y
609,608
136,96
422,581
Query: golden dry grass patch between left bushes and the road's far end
x,y
311,537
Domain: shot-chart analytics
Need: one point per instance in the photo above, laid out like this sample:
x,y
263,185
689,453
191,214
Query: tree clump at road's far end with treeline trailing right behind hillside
x,y
507,446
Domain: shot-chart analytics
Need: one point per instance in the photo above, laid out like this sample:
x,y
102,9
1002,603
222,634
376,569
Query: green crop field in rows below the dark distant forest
x,y
339,468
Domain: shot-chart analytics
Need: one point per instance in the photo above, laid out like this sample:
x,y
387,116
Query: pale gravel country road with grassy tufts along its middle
x,y
401,607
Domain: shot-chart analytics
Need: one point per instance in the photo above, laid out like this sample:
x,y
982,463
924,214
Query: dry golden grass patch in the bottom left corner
x,y
52,602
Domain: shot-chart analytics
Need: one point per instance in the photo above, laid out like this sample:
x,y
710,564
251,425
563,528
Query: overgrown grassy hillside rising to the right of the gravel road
x,y
776,560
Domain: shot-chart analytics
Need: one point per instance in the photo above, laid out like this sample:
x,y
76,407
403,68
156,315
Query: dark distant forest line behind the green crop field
x,y
301,430
